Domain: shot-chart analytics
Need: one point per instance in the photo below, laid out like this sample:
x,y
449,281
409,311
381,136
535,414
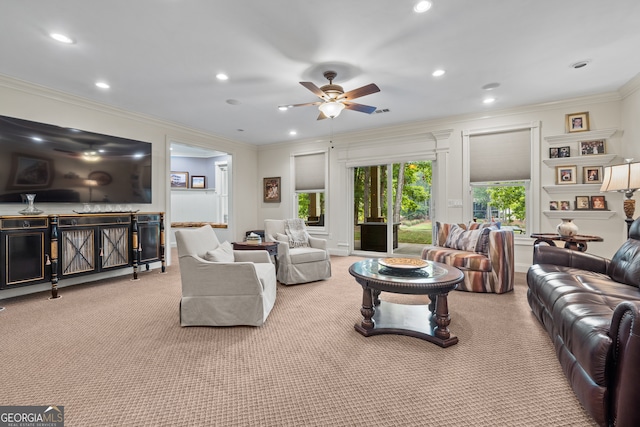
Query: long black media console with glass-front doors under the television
x,y
49,248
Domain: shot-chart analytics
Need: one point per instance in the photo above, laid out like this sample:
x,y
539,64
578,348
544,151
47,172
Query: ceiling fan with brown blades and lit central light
x,y
335,99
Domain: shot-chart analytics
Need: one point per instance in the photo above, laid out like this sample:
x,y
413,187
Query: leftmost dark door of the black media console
x,y
24,255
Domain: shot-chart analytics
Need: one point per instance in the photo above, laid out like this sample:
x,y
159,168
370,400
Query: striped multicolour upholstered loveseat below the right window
x,y
483,252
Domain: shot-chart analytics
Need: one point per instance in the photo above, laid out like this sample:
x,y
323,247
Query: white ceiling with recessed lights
x,y
161,57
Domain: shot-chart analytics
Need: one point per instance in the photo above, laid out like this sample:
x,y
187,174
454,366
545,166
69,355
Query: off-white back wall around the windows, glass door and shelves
x,y
606,111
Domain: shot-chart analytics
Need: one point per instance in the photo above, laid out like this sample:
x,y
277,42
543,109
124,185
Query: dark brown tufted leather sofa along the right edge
x,y
590,307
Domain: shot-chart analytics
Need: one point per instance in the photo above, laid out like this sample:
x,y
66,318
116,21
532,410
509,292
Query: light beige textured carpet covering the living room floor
x,y
113,353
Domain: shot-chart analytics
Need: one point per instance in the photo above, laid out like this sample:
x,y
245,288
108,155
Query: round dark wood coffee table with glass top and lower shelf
x,y
428,322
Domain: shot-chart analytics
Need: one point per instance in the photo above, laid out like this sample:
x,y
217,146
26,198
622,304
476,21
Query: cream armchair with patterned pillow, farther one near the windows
x,y
301,258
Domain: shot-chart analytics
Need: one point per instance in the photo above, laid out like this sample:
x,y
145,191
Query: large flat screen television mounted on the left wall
x,y
65,165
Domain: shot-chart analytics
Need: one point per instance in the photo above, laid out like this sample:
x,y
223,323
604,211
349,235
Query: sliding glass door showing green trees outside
x,y
391,208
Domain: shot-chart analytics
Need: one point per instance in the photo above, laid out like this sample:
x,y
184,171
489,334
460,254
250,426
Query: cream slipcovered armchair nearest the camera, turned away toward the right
x,y
220,286
